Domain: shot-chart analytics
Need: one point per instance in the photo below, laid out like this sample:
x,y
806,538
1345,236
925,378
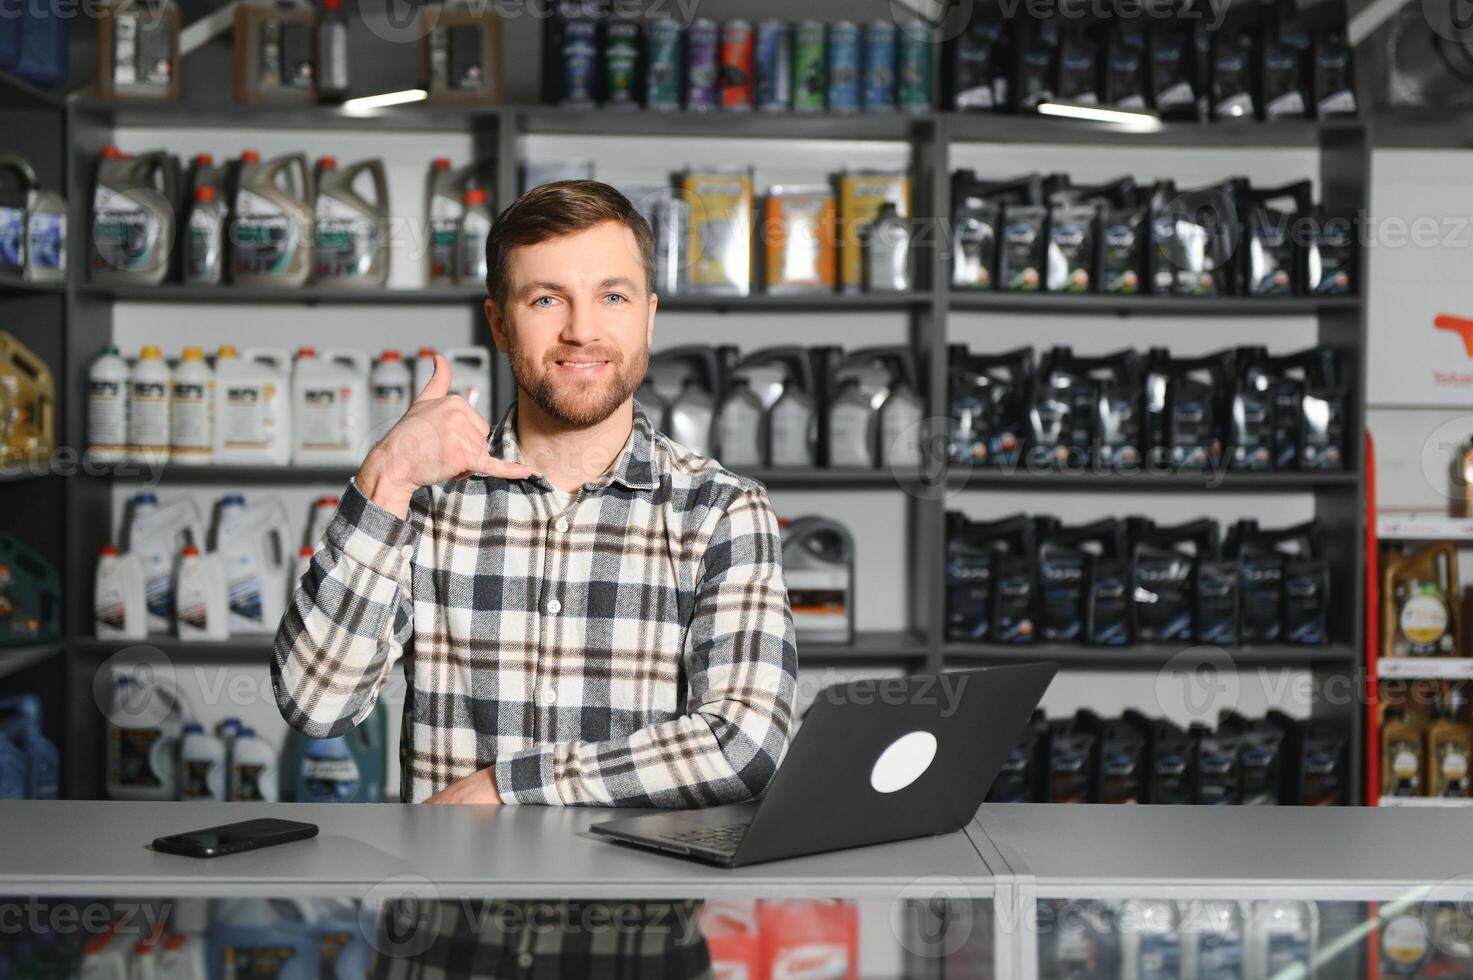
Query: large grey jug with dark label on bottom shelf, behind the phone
x,y
145,721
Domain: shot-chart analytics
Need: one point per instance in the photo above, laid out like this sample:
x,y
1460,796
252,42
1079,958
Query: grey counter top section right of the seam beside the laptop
x,y
1281,853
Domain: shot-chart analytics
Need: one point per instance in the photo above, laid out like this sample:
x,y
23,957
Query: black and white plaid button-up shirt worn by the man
x,y
634,649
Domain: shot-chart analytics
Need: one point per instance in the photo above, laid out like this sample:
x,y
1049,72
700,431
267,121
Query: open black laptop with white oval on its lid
x,y
874,761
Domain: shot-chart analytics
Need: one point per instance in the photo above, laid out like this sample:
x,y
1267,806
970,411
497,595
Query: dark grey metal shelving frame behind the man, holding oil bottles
x,y
82,319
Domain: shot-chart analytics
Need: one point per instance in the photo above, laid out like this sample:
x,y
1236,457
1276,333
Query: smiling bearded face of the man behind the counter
x,y
578,323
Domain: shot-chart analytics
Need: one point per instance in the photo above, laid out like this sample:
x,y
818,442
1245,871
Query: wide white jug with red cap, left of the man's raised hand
x,y
331,407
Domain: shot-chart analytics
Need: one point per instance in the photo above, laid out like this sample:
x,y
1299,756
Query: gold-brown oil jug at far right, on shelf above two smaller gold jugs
x,y
1421,601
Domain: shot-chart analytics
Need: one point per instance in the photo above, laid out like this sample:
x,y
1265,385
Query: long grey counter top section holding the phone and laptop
x,y
513,853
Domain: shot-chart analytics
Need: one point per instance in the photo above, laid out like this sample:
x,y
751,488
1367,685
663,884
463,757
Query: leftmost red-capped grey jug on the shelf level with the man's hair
x,y
133,217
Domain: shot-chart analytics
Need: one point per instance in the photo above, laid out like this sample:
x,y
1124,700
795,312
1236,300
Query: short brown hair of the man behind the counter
x,y
555,210
